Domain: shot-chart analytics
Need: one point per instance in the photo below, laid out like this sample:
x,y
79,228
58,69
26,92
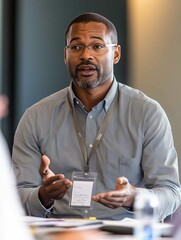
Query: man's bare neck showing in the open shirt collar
x,y
91,97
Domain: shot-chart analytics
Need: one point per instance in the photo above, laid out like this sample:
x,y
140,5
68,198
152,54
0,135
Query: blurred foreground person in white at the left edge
x,y
11,225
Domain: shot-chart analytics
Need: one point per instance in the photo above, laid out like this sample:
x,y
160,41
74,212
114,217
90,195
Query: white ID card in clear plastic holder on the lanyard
x,y
82,189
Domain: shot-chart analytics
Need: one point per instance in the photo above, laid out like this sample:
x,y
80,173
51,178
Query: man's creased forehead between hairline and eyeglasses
x,y
90,30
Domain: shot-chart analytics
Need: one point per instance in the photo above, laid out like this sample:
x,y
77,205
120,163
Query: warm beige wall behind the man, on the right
x,y
155,55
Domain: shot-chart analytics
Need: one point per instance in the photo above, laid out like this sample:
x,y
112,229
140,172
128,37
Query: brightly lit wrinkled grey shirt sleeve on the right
x,y
160,163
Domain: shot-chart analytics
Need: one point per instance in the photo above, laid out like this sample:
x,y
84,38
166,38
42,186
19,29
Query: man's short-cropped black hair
x,y
95,17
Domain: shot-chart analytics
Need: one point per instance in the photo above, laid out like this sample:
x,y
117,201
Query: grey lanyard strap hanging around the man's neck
x,y
99,134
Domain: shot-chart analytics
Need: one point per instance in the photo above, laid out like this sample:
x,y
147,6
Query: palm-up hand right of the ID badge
x,y
122,196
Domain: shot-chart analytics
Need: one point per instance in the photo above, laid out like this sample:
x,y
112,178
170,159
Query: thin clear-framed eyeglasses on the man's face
x,y
96,49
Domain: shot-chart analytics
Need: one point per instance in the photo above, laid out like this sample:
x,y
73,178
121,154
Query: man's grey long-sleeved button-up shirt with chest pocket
x,y
137,144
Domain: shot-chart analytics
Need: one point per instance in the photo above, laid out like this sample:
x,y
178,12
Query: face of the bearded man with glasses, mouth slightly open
x,y
90,67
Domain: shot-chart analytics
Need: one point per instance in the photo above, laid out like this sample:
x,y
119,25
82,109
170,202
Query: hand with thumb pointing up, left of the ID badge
x,y
54,186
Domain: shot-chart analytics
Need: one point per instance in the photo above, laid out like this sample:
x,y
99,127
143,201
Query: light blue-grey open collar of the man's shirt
x,y
106,102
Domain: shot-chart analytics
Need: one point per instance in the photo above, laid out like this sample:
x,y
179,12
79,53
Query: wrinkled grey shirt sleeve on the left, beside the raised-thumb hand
x,y
26,158
